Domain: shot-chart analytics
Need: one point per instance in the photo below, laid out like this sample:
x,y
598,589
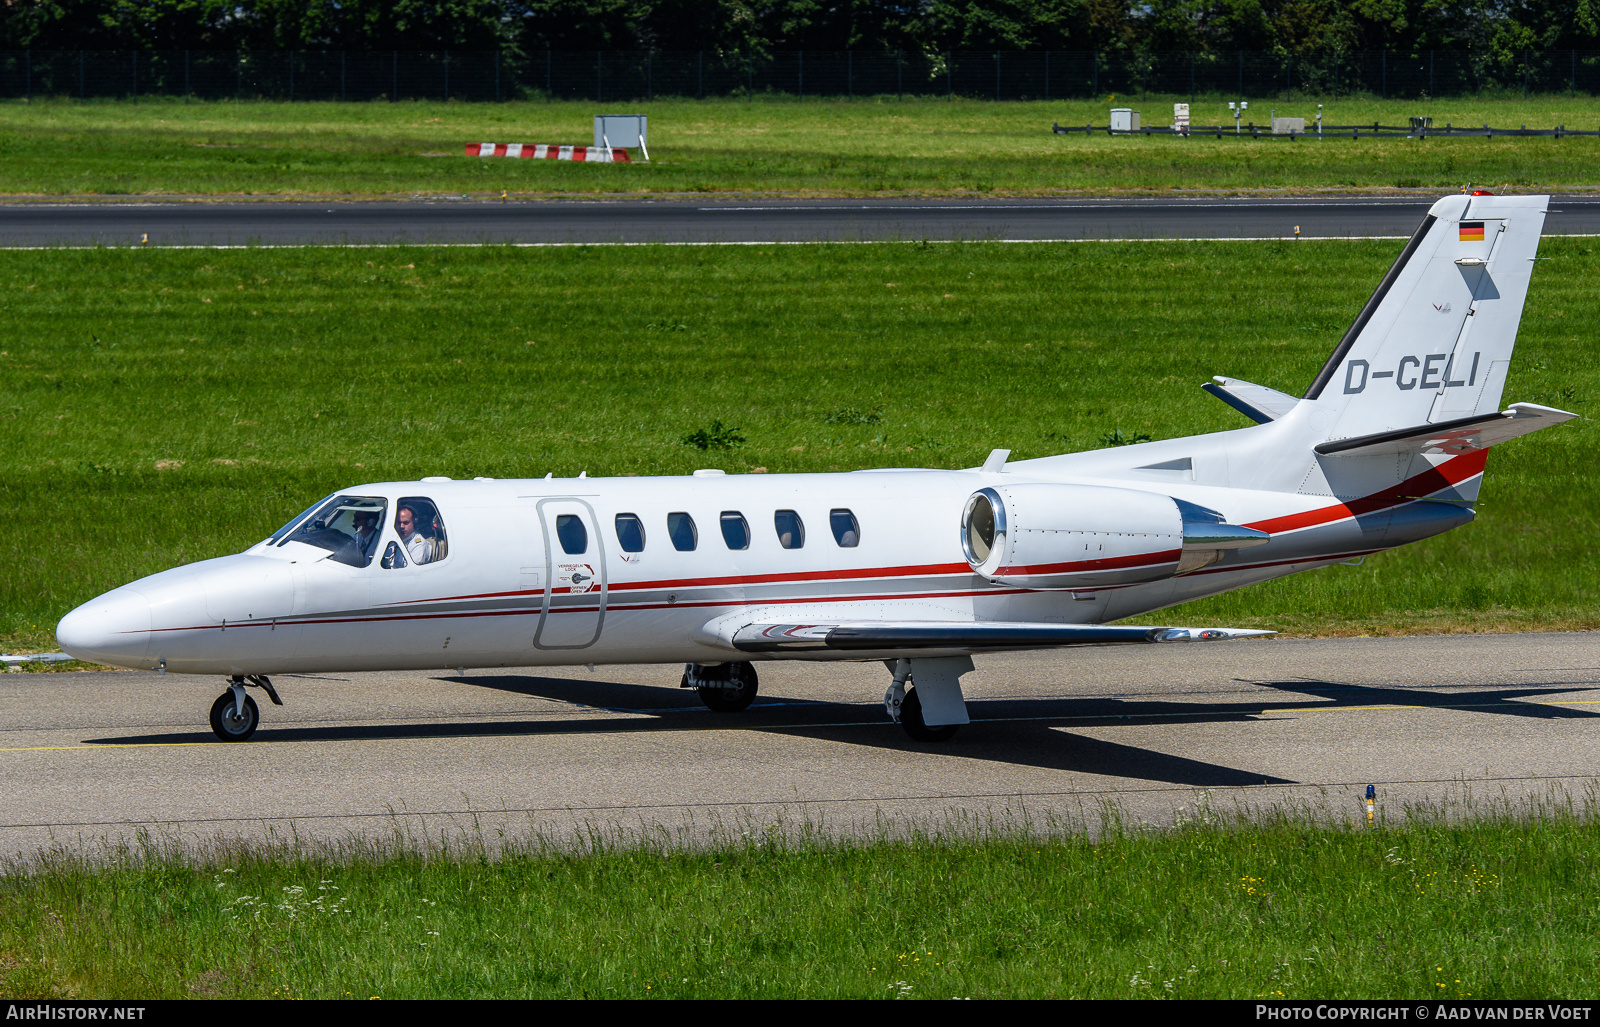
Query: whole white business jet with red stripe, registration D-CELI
x,y
916,569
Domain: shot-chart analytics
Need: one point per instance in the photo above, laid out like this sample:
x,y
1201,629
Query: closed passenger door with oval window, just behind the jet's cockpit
x,y
575,580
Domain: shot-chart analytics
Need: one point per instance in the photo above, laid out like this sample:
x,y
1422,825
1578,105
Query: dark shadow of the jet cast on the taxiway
x,y
1020,732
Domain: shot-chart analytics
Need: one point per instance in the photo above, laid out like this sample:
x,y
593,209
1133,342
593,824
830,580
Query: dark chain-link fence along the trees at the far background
x,y
638,76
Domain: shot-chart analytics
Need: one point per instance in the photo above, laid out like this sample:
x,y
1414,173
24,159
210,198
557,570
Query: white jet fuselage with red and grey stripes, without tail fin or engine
x,y
540,572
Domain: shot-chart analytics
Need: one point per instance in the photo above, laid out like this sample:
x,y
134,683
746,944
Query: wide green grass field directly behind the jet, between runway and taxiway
x,y
162,407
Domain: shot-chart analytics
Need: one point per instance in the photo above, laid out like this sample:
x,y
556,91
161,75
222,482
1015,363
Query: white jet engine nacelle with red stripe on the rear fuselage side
x,y
1086,537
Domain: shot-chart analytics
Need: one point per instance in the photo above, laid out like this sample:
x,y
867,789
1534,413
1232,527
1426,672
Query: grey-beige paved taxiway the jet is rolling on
x,y
90,761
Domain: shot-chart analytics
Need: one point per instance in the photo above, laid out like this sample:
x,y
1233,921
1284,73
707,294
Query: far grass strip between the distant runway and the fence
x,y
876,146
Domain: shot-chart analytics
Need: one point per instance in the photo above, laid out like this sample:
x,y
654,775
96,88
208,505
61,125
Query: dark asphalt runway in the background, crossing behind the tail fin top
x,y
726,222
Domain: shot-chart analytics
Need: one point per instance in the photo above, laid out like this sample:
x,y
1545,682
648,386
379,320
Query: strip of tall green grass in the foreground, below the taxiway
x,y
1274,906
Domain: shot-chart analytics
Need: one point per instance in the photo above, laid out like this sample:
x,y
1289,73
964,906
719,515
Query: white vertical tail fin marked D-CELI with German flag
x,y
1434,342
